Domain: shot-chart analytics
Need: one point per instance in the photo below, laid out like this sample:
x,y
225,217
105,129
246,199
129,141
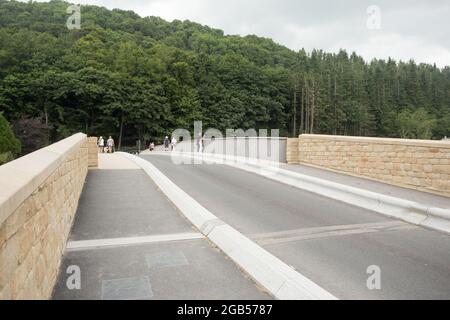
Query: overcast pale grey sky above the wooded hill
x,y
406,29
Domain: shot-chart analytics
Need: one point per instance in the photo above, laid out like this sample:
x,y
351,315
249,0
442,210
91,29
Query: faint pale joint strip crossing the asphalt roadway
x,y
329,231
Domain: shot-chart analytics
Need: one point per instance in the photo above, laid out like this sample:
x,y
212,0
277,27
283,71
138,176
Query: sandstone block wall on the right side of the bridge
x,y
417,164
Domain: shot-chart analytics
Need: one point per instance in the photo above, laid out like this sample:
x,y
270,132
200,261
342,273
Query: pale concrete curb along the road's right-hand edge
x,y
406,210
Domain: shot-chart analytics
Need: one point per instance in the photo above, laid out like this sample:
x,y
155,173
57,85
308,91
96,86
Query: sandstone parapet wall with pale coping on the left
x,y
36,214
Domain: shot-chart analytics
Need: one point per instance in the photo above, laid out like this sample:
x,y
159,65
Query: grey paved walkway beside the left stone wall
x,y
119,213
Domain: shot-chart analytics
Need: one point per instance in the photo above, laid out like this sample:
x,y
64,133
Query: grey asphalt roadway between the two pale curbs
x,y
330,242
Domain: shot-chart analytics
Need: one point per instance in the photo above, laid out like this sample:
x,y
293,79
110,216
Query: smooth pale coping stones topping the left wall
x,y
21,177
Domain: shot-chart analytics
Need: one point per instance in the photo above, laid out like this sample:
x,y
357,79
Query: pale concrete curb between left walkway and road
x,y
274,275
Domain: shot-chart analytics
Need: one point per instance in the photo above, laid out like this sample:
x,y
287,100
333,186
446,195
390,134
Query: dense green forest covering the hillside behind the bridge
x,y
140,78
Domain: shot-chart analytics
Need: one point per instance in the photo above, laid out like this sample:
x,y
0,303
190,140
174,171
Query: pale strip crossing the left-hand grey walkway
x,y
116,242
